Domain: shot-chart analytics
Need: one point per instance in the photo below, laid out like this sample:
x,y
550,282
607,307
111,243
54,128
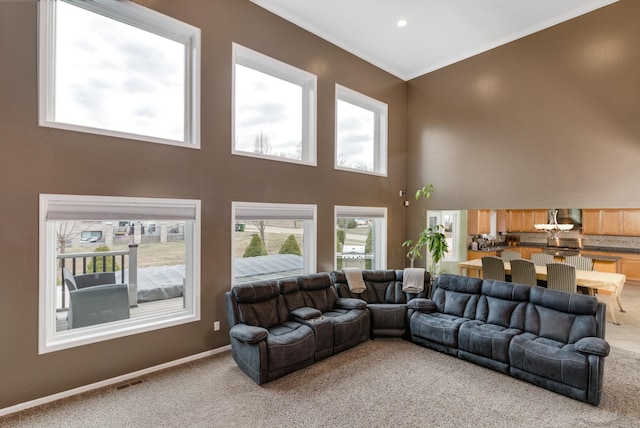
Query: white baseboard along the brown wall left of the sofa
x,y
112,381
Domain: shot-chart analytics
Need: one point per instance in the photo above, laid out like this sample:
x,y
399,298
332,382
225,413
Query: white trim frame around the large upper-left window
x,y
138,16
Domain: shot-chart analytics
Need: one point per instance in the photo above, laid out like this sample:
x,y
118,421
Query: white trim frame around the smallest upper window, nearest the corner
x,y
380,111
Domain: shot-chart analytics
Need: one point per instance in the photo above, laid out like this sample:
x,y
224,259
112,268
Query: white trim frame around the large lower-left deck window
x,y
48,339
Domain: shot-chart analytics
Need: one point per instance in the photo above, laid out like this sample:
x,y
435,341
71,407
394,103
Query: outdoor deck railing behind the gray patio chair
x,y
79,265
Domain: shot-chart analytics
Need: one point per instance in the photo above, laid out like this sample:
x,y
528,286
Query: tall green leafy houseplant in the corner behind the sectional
x,y
430,238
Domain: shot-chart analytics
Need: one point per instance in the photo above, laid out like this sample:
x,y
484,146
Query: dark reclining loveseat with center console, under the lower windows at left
x,y
277,327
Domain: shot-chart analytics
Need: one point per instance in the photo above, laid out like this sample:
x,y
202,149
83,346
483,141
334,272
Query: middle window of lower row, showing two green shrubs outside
x,y
273,241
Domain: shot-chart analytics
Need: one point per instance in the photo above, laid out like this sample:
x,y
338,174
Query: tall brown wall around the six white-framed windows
x,y
36,160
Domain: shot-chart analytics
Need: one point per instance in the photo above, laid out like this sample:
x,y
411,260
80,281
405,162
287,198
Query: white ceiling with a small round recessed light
x,y
438,32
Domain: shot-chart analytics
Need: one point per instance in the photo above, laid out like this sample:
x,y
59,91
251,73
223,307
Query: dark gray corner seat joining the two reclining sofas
x,y
386,301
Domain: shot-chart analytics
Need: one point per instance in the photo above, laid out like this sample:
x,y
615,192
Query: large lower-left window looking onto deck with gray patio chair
x,y
115,266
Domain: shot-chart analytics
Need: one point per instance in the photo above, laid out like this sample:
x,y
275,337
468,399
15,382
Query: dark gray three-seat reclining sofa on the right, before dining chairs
x,y
546,337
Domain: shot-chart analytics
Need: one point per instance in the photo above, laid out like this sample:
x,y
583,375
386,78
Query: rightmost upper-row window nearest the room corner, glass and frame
x,y
361,133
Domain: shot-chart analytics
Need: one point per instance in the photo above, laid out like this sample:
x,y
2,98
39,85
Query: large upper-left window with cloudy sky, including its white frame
x,y
117,68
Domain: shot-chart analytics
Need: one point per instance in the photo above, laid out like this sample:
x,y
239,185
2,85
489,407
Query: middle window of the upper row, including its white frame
x,y
274,112
